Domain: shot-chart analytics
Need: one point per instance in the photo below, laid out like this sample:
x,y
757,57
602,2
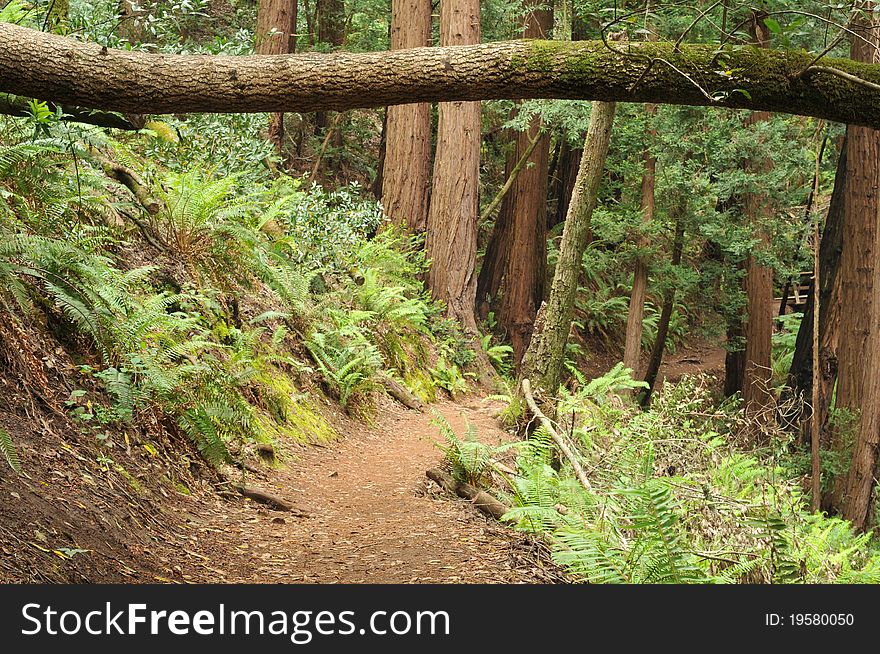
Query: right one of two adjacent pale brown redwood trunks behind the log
x,y
452,218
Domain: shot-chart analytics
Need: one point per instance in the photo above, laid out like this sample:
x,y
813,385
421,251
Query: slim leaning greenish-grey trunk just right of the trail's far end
x,y
542,364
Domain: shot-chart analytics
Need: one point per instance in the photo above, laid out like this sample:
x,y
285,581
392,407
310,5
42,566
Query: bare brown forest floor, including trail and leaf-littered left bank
x,y
371,514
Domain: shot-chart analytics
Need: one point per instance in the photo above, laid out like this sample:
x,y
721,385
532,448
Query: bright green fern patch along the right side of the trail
x,y
675,501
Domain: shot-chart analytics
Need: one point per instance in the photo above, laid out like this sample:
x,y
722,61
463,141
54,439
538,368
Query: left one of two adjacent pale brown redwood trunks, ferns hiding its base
x,y
406,173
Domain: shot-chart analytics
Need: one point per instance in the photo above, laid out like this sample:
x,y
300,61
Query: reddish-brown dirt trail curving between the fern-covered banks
x,y
374,518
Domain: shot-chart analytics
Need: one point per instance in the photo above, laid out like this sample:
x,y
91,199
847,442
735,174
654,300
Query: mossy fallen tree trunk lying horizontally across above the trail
x,y
60,69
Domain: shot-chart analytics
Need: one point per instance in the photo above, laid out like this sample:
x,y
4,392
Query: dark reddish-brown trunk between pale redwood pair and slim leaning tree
x,y
525,209
